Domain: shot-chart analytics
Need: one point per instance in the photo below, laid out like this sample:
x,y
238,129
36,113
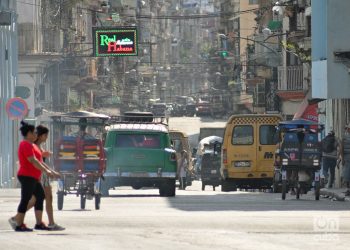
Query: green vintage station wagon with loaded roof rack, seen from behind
x,y
139,154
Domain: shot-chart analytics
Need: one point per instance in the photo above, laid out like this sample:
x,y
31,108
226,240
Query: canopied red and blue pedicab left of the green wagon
x,y
79,155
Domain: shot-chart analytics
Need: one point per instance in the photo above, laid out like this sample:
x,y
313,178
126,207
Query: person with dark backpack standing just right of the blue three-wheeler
x,y
330,155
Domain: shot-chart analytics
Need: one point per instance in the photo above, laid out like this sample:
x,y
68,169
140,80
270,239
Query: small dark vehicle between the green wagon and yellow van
x,y
210,165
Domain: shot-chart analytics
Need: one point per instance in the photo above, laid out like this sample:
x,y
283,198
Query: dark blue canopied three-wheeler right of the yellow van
x,y
298,158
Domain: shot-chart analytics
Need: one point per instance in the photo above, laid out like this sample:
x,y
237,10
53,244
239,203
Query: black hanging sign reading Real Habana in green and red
x,y
115,41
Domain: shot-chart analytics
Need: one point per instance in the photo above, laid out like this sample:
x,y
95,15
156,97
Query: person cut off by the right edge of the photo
x,y
345,157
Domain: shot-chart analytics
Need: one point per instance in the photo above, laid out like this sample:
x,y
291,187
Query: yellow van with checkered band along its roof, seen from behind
x,y
248,148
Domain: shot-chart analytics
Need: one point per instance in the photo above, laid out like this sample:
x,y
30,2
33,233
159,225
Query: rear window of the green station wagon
x,y
138,141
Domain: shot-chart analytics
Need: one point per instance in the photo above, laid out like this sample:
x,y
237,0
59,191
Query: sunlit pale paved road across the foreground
x,y
140,219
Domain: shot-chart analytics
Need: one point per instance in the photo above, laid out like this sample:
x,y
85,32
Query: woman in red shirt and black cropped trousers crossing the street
x,y
29,173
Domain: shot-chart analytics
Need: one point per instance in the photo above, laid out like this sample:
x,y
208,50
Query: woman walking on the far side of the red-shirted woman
x,y
42,134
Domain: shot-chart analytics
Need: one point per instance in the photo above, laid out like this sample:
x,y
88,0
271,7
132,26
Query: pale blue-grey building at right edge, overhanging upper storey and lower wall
x,y
330,65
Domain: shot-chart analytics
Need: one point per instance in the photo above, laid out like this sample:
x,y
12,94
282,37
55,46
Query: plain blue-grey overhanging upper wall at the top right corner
x,y
330,33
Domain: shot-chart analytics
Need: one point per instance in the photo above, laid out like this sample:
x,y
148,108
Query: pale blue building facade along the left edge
x,y
8,82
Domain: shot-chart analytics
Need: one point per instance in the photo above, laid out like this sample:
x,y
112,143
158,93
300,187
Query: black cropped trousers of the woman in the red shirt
x,y
29,187
